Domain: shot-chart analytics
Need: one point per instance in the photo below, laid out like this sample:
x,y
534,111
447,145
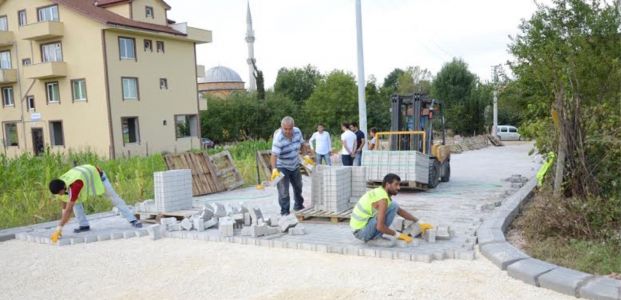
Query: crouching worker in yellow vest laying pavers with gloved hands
x,y
375,211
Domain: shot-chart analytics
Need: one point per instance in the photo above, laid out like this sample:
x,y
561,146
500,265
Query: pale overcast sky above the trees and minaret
x,y
396,33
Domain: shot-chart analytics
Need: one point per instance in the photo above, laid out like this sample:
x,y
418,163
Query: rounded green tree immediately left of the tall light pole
x,y
334,100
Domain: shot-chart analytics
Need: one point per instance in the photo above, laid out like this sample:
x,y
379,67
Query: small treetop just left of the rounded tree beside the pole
x,y
297,83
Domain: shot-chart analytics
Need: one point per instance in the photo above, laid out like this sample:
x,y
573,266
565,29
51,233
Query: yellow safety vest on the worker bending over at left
x,y
93,186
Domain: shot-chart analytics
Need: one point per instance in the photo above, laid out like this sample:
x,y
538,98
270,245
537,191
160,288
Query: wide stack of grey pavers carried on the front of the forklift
x,y
380,163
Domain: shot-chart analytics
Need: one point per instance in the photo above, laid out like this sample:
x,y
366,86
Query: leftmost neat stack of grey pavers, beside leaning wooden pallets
x,y
173,190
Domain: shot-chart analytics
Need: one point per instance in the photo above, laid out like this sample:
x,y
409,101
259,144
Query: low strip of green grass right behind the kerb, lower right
x,y
597,257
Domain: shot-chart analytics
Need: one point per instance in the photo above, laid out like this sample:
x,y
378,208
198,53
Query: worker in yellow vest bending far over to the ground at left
x,y
82,183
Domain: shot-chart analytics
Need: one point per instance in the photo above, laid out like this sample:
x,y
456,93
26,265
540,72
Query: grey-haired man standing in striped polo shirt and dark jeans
x,y
285,160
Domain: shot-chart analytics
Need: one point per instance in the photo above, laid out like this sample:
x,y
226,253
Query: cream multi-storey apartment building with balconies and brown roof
x,y
115,77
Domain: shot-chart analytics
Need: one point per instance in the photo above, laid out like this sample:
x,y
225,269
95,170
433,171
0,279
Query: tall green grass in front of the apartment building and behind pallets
x,y
25,198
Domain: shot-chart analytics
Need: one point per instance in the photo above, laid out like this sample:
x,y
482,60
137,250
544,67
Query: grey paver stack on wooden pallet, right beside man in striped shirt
x,y
334,191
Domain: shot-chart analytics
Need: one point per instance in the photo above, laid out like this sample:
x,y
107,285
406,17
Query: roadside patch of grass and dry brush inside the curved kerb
x,y
542,226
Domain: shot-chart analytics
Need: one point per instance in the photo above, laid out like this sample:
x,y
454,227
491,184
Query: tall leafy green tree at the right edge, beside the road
x,y
568,57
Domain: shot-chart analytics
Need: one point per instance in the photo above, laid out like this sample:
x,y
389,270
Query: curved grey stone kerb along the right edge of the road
x,y
493,245
